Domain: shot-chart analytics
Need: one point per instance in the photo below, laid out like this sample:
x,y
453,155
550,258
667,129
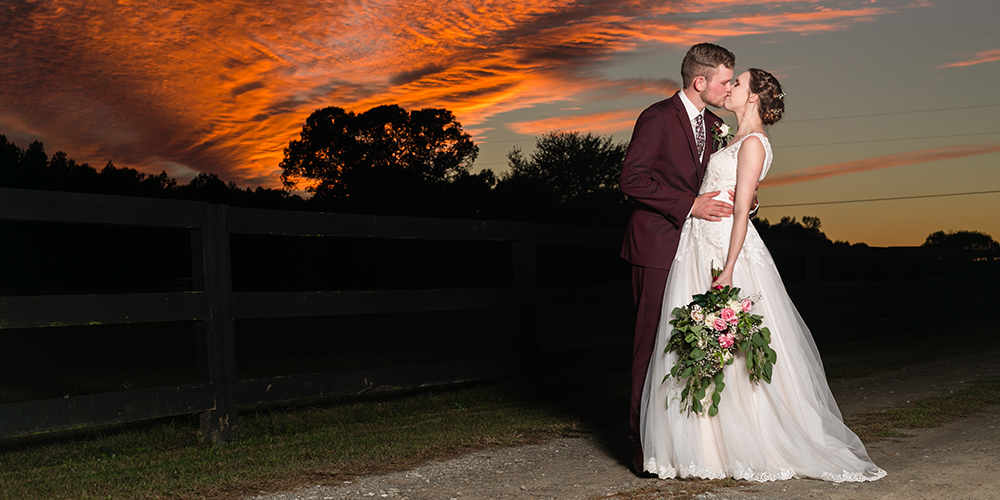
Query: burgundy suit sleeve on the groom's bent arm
x,y
637,181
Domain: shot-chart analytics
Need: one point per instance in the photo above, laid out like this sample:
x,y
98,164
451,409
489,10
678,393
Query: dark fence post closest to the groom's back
x,y
526,288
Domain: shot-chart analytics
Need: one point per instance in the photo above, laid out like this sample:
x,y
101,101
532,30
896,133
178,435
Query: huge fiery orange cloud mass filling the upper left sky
x,y
222,85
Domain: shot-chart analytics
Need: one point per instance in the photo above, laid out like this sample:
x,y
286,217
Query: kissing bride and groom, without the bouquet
x,y
694,187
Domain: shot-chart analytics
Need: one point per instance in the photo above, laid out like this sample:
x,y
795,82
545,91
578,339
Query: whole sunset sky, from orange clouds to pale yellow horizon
x,y
886,98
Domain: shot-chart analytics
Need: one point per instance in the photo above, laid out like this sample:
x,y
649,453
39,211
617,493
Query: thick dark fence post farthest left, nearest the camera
x,y
211,272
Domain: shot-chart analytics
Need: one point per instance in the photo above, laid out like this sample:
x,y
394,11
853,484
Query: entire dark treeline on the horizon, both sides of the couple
x,y
390,161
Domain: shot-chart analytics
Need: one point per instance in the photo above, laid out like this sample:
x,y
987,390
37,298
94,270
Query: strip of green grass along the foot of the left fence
x,y
278,448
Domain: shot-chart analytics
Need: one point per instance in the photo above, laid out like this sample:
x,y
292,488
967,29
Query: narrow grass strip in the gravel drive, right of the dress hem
x,y
926,413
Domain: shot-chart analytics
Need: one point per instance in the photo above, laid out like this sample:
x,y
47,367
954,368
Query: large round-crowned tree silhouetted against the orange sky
x,y
384,160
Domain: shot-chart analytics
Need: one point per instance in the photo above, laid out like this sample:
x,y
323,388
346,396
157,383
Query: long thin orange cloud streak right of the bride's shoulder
x,y
887,161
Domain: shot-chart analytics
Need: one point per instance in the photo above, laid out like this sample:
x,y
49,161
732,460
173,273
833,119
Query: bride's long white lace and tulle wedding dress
x,y
789,428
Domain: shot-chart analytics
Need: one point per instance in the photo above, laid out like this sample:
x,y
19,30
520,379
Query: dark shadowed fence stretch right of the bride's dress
x,y
856,290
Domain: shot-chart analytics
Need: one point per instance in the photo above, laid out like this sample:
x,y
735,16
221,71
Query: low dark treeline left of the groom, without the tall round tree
x,y
530,191
